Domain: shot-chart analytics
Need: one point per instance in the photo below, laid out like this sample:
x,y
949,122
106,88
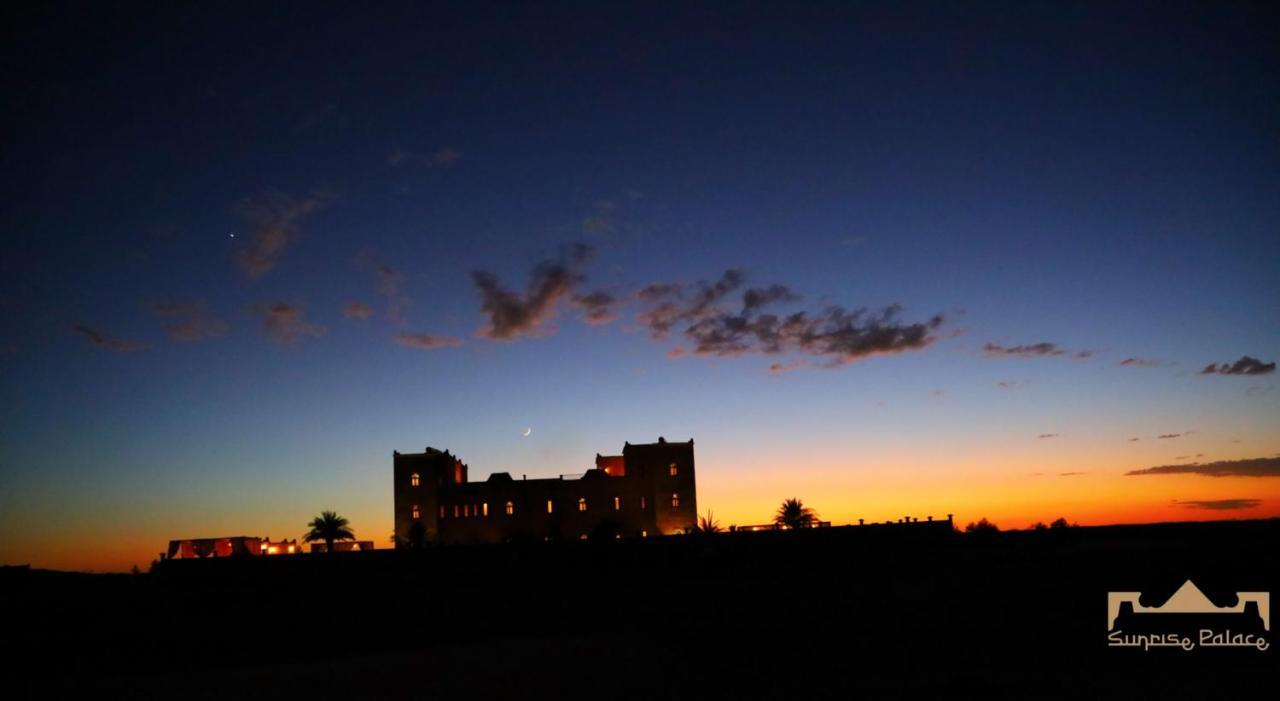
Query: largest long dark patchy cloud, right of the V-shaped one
x,y
719,322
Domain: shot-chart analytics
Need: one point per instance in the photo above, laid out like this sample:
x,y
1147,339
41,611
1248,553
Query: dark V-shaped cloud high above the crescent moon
x,y
513,315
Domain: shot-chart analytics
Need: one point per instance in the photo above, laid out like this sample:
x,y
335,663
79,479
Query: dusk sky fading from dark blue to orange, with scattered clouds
x,y
1014,262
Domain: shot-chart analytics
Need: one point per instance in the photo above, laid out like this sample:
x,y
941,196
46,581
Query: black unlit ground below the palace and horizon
x,y
839,613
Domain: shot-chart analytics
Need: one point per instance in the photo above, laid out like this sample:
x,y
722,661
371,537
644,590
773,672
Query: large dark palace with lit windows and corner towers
x,y
648,491
